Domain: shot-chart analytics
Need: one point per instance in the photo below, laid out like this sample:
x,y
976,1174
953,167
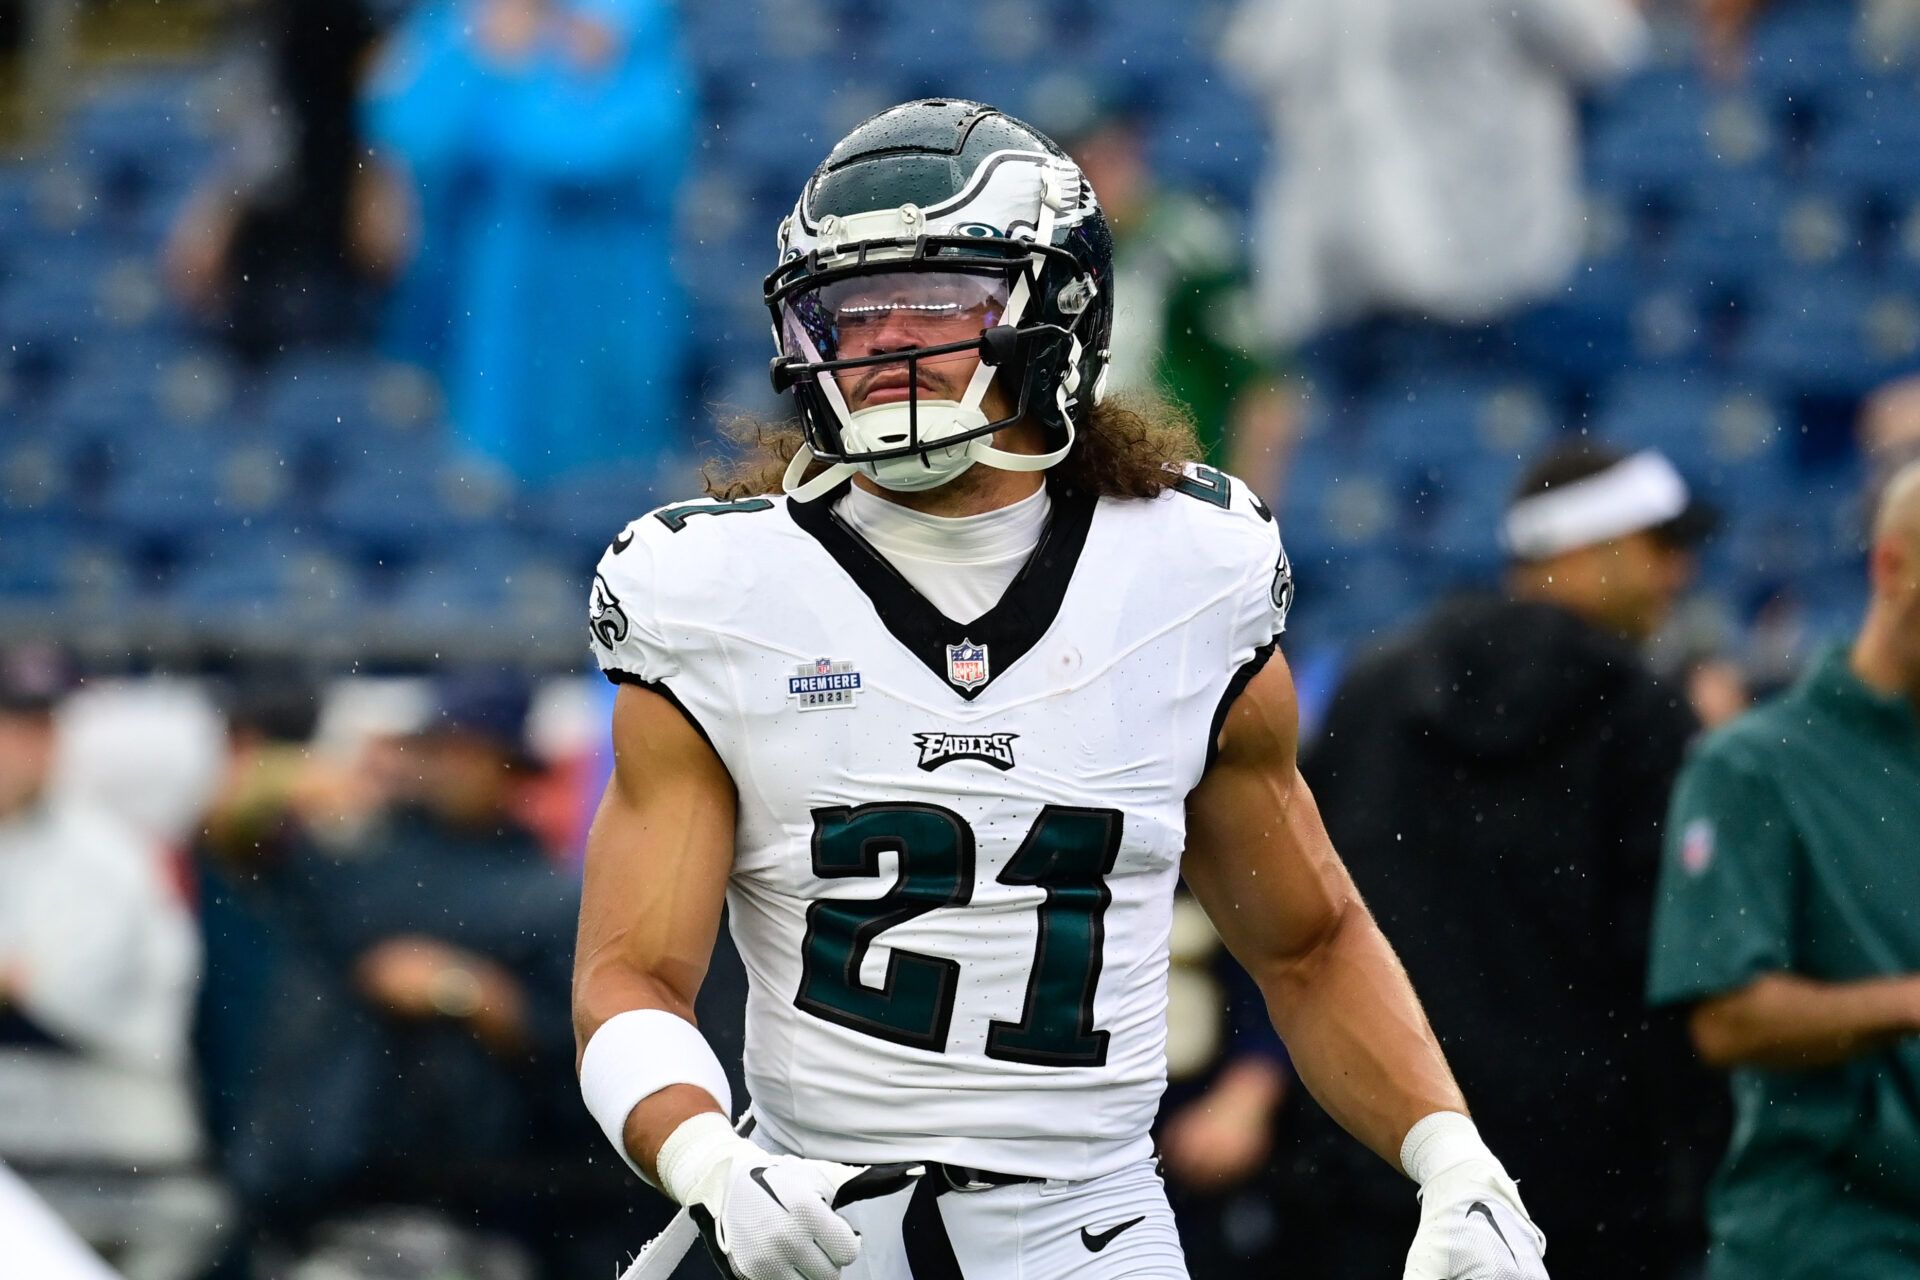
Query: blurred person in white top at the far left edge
x,y
97,980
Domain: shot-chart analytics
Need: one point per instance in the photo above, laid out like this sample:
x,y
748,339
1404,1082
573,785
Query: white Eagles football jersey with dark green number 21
x,y
957,843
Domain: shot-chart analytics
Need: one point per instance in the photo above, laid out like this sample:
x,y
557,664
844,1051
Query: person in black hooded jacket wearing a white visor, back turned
x,y
1497,782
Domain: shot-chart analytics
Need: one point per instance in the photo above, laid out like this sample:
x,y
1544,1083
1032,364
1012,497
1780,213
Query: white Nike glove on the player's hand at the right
x,y
1474,1225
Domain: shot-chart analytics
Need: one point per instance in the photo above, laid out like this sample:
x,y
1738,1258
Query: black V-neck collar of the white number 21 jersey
x,y
1007,630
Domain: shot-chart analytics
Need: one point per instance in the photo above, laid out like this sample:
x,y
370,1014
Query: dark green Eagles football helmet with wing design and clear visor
x,y
936,233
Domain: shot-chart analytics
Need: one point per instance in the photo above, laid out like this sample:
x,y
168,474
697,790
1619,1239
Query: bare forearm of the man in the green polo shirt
x,y
1788,1022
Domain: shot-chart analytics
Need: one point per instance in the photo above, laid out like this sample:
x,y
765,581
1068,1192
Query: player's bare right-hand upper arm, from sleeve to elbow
x,y
1259,857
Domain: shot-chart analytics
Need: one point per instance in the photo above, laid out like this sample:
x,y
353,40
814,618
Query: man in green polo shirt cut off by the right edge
x,y
1790,922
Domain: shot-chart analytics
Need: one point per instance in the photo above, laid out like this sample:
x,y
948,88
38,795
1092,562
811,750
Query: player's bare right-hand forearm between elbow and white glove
x,y
1358,1037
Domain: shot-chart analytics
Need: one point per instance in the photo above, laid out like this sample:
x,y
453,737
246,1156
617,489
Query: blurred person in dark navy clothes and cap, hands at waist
x,y
420,1037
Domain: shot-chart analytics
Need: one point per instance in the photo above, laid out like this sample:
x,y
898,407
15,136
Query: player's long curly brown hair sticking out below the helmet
x,y
1132,446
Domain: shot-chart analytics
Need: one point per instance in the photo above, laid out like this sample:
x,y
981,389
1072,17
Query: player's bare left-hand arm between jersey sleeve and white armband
x,y
660,855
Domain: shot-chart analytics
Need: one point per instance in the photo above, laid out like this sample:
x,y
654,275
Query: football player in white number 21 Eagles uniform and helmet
x,y
942,711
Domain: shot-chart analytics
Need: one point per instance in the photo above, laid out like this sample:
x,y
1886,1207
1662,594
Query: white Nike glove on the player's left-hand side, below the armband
x,y
769,1218
